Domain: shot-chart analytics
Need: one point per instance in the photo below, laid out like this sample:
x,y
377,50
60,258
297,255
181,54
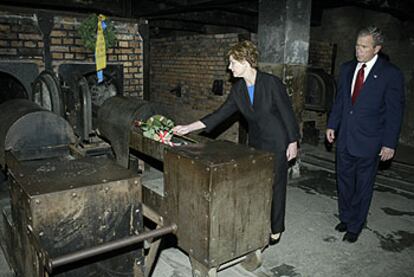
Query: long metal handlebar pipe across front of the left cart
x,y
107,247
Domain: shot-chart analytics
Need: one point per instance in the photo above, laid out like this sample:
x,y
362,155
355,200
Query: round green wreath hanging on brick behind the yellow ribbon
x,y
88,29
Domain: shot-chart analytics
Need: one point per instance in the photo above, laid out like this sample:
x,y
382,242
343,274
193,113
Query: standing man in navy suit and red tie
x,y
365,120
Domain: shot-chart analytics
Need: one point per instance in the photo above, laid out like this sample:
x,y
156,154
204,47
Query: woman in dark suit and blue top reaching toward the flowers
x,y
272,126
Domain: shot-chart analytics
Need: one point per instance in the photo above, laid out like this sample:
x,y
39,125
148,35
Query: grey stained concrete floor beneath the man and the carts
x,y
311,247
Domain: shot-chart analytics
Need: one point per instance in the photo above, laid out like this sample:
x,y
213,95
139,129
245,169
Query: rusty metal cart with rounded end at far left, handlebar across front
x,y
66,216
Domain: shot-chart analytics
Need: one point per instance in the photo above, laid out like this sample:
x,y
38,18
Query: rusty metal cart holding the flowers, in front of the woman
x,y
217,192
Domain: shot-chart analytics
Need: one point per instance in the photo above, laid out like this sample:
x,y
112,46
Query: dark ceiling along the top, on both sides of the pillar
x,y
204,16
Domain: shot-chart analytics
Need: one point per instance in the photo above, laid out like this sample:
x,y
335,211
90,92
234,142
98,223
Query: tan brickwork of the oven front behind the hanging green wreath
x,y
21,39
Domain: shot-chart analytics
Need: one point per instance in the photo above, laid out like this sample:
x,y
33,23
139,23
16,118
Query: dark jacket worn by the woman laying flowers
x,y
271,122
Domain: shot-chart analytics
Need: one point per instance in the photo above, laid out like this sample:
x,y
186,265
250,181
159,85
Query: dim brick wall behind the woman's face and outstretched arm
x,y
193,63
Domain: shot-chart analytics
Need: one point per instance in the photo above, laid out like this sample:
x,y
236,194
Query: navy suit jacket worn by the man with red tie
x,y
375,118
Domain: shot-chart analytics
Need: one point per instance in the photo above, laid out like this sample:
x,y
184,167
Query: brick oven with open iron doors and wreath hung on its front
x,y
42,58
